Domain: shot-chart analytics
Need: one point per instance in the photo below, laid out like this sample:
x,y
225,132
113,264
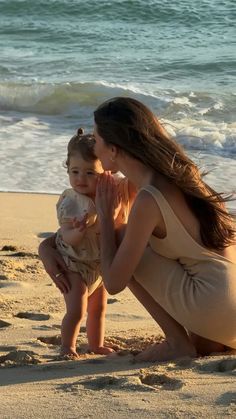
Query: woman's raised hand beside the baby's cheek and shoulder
x,y
107,201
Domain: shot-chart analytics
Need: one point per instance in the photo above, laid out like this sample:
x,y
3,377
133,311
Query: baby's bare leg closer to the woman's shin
x,y
97,303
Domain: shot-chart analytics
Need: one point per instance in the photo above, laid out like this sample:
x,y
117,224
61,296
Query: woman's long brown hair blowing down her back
x,y
133,128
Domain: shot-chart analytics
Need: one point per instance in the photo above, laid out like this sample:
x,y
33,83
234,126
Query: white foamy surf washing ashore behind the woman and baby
x,y
33,149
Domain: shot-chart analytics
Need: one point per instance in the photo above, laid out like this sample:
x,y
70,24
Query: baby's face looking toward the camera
x,y
84,174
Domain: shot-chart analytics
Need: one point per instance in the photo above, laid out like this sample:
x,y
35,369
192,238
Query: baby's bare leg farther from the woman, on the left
x,y
76,305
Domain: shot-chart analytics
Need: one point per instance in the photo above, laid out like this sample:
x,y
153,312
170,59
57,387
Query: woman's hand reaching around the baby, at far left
x,y
54,264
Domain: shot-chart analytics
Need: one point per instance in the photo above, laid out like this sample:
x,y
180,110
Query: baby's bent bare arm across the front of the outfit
x,y
73,231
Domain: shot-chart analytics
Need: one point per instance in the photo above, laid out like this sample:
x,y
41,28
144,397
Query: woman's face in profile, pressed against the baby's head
x,y
106,154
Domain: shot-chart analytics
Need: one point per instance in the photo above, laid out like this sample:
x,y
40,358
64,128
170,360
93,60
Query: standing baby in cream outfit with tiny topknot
x,y
77,240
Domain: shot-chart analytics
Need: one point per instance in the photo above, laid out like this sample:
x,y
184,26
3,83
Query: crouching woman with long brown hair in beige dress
x,y
179,239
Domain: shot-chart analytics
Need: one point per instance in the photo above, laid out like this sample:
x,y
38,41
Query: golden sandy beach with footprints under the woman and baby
x,y
35,383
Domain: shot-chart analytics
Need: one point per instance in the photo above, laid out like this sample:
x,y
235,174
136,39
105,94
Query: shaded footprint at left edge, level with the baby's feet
x,y
19,357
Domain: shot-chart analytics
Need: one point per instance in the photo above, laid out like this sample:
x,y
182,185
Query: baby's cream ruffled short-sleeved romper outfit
x,y
85,258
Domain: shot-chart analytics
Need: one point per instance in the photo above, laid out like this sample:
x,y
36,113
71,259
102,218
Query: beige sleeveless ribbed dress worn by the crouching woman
x,y
196,286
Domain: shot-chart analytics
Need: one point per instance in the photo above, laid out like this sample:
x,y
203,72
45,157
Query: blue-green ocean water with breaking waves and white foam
x,y
62,58
